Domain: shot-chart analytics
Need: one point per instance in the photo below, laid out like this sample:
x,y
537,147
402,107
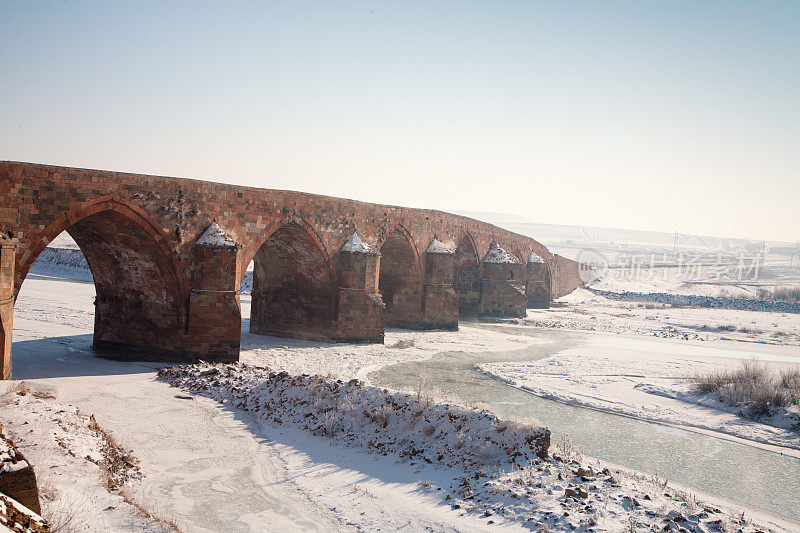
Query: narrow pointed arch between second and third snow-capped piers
x,y
400,278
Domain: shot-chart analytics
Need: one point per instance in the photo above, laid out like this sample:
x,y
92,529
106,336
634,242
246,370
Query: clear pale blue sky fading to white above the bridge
x,y
646,115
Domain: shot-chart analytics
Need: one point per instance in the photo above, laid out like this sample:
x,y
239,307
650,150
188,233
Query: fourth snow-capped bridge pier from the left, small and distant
x,y
502,285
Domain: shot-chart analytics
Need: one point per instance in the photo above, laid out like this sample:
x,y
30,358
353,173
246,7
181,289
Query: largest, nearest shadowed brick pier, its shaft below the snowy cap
x,y
215,319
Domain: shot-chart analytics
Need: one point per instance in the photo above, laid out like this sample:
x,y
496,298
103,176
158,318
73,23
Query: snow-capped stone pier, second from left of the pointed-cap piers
x,y
360,311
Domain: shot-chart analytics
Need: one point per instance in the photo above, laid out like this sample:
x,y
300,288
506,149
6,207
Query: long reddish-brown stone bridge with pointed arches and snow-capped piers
x,y
168,256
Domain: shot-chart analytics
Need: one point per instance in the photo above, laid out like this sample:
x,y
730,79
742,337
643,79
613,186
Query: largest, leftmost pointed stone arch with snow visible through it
x,y
141,304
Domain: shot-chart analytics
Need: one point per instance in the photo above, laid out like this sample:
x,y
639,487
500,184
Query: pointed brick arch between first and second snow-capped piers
x,y
294,284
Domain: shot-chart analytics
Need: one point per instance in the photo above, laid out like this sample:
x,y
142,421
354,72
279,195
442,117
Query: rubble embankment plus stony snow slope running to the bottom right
x,y
485,468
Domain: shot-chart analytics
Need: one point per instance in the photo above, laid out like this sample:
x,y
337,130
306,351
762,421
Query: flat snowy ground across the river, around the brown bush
x,y
623,376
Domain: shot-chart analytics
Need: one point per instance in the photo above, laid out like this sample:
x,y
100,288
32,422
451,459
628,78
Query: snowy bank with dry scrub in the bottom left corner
x,y
83,474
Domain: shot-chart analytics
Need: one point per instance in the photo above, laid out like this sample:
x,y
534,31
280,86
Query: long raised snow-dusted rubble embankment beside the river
x,y
386,422
